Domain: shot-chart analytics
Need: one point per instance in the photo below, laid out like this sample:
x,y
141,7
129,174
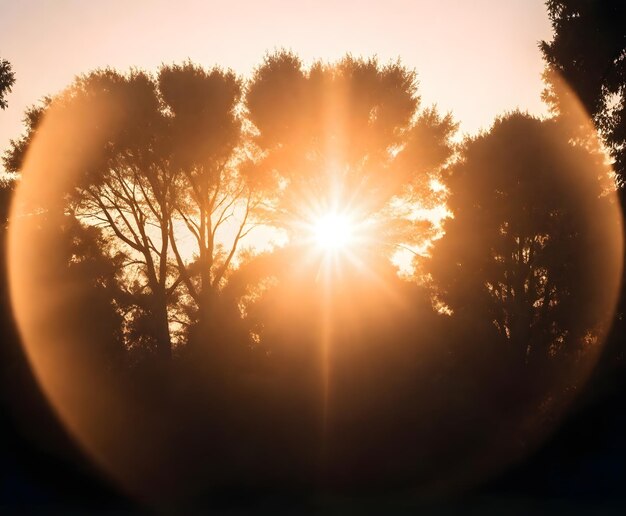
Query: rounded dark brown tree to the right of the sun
x,y
531,253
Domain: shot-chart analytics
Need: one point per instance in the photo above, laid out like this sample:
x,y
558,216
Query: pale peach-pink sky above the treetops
x,y
475,58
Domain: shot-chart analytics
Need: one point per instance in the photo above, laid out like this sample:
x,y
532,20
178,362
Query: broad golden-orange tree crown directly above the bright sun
x,y
347,137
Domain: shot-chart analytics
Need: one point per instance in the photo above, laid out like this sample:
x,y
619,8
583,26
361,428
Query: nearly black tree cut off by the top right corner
x,y
588,51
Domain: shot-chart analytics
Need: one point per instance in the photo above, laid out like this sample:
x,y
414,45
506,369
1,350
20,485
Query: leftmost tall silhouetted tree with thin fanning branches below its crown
x,y
125,188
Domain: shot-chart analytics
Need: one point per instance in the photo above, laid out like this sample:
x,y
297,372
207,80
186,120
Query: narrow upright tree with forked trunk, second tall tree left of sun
x,y
215,200
